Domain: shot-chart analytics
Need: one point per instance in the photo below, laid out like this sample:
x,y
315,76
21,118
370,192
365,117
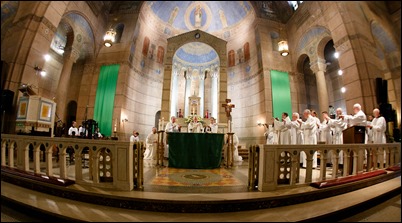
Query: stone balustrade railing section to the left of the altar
x,y
107,163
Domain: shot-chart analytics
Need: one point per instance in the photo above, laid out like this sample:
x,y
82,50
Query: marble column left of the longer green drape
x,y
70,56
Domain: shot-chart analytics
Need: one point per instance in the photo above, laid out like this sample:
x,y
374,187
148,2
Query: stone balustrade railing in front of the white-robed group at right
x,y
279,165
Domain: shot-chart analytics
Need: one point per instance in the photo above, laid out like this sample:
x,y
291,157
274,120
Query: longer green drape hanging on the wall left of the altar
x,y
104,101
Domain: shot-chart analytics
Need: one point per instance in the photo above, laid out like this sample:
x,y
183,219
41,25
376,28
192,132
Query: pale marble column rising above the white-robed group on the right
x,y
319,69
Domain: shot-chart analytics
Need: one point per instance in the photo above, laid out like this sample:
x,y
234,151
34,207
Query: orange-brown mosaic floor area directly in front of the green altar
x,y
189,178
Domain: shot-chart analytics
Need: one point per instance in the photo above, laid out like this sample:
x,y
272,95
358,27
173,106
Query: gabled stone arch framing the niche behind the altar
x,y
173,44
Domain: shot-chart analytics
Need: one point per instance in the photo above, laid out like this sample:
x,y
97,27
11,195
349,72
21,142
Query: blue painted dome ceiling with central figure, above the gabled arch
x,y
209,16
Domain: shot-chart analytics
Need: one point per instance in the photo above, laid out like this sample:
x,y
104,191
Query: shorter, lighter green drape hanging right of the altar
x,y
281,101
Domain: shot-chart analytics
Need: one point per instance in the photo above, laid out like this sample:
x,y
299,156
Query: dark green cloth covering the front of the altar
x,y
195,150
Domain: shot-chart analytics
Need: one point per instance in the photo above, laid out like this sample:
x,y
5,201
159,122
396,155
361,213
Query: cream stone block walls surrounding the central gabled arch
x,y
143,87
